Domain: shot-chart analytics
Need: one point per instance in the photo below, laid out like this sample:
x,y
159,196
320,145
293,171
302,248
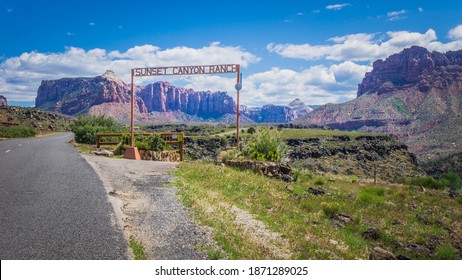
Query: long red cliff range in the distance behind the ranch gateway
x,y
158,102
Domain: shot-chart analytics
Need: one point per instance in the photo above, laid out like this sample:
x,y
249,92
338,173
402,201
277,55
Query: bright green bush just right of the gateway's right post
x,y
266,145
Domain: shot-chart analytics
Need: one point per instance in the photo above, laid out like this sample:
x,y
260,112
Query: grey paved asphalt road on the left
x,y
53,205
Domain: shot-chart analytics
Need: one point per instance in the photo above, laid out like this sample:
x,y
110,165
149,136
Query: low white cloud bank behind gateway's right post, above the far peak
x,y
315,85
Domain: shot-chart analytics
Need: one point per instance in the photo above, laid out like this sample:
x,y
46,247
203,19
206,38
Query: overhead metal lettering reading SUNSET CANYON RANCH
x,y
186,70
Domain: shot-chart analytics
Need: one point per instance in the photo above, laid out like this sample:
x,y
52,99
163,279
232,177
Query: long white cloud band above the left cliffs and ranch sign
x,y
21,76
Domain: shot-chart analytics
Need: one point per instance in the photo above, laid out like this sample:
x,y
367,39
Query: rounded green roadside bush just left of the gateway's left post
x,y
85,128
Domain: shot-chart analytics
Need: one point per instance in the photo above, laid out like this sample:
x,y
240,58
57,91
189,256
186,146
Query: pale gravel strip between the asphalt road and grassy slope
x,y
149,210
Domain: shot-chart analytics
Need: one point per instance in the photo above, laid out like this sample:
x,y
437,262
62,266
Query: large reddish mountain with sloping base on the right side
x,y
415,94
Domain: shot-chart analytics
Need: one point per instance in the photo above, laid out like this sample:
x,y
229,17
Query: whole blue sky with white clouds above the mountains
x,y
315,50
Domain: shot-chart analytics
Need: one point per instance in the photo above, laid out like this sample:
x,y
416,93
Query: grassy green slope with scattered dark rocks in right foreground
x,y
316,217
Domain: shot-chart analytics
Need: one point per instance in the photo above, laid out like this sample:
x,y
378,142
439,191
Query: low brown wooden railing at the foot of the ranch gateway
x,y
171,138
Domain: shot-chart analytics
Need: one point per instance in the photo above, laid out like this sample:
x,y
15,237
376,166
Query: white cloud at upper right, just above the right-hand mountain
x,y
368,47
